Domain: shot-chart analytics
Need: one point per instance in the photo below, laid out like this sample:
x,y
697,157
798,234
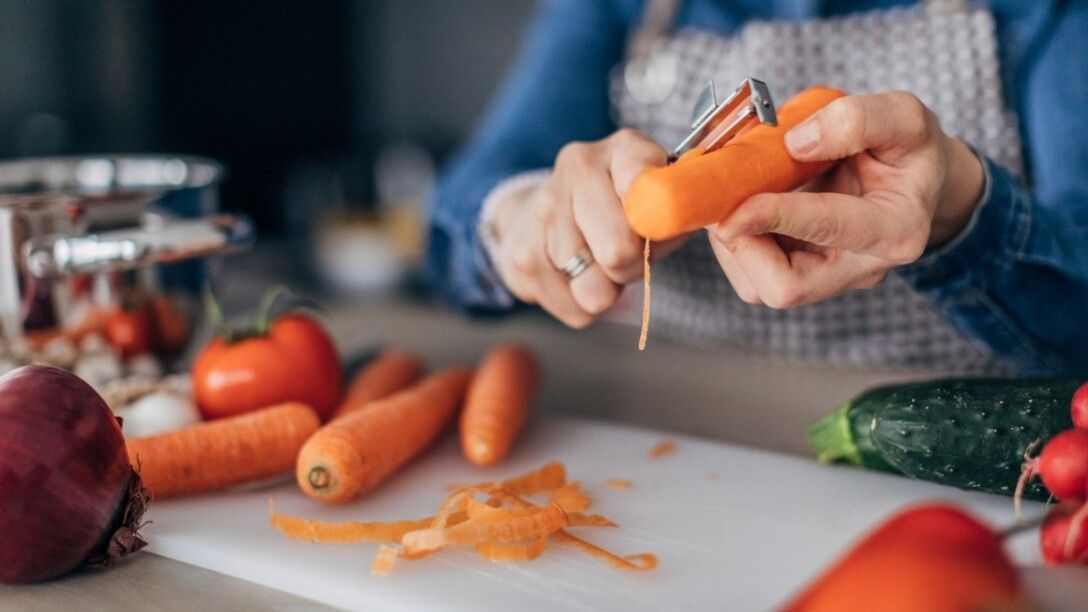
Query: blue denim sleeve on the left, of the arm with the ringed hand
x,y
558,92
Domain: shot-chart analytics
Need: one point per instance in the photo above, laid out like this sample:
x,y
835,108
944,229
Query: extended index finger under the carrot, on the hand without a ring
x,y
871,225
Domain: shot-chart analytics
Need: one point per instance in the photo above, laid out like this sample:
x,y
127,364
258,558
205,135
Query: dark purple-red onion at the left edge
x,y
68,495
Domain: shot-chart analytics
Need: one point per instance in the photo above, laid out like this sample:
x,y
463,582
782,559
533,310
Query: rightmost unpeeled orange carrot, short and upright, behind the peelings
x,y
498,403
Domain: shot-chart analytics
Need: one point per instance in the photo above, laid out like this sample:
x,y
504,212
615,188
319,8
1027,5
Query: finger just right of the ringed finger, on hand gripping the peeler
x,y
599,216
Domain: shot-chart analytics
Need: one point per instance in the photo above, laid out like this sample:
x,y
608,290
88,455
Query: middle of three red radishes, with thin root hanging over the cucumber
x,y
1064,467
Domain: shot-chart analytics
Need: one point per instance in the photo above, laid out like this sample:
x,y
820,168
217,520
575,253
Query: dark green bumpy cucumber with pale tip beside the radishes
x,y
970,434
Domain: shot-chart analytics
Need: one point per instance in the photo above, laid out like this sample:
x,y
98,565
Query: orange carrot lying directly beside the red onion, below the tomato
x,y
218,455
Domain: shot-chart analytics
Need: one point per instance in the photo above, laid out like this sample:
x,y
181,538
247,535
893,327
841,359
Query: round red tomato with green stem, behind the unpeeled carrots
x,y
294,362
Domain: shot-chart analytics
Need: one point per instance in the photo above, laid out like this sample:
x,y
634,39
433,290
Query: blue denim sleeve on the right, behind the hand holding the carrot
x,y
1017,278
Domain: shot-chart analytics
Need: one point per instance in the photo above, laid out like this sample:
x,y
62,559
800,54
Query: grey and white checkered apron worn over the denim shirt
x,y
944,52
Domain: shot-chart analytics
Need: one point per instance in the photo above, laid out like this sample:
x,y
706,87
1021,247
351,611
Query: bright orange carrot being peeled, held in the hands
x,y
703,189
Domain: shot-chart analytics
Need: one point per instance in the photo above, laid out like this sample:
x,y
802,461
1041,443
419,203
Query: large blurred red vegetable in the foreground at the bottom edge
x,y
935,558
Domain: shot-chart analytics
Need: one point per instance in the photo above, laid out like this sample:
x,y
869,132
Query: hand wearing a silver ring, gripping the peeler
x,y
578,207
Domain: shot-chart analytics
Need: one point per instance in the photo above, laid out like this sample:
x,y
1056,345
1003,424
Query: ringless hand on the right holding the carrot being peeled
x,y
902,186
